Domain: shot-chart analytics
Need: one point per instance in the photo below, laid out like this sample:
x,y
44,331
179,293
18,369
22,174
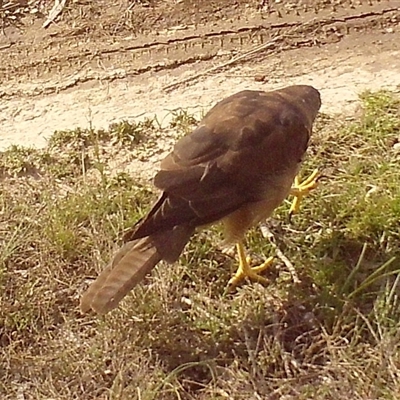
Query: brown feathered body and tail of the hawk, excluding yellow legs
x,y
237,166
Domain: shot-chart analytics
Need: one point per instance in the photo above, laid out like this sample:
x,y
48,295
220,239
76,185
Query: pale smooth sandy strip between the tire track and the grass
x,y
340,72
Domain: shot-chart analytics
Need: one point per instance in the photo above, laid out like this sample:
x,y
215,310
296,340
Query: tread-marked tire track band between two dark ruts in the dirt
x,y
98,62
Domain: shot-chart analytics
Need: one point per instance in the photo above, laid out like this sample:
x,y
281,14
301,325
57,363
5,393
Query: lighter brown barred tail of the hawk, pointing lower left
x,y
129,266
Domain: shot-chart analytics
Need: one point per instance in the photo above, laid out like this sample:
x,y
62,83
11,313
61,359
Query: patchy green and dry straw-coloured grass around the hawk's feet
x,y
178,335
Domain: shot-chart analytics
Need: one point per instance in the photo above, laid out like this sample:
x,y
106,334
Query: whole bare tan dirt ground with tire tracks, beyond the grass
x,y
99,63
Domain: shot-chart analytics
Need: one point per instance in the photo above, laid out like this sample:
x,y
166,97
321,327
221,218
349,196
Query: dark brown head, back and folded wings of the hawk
x,y
230,159
